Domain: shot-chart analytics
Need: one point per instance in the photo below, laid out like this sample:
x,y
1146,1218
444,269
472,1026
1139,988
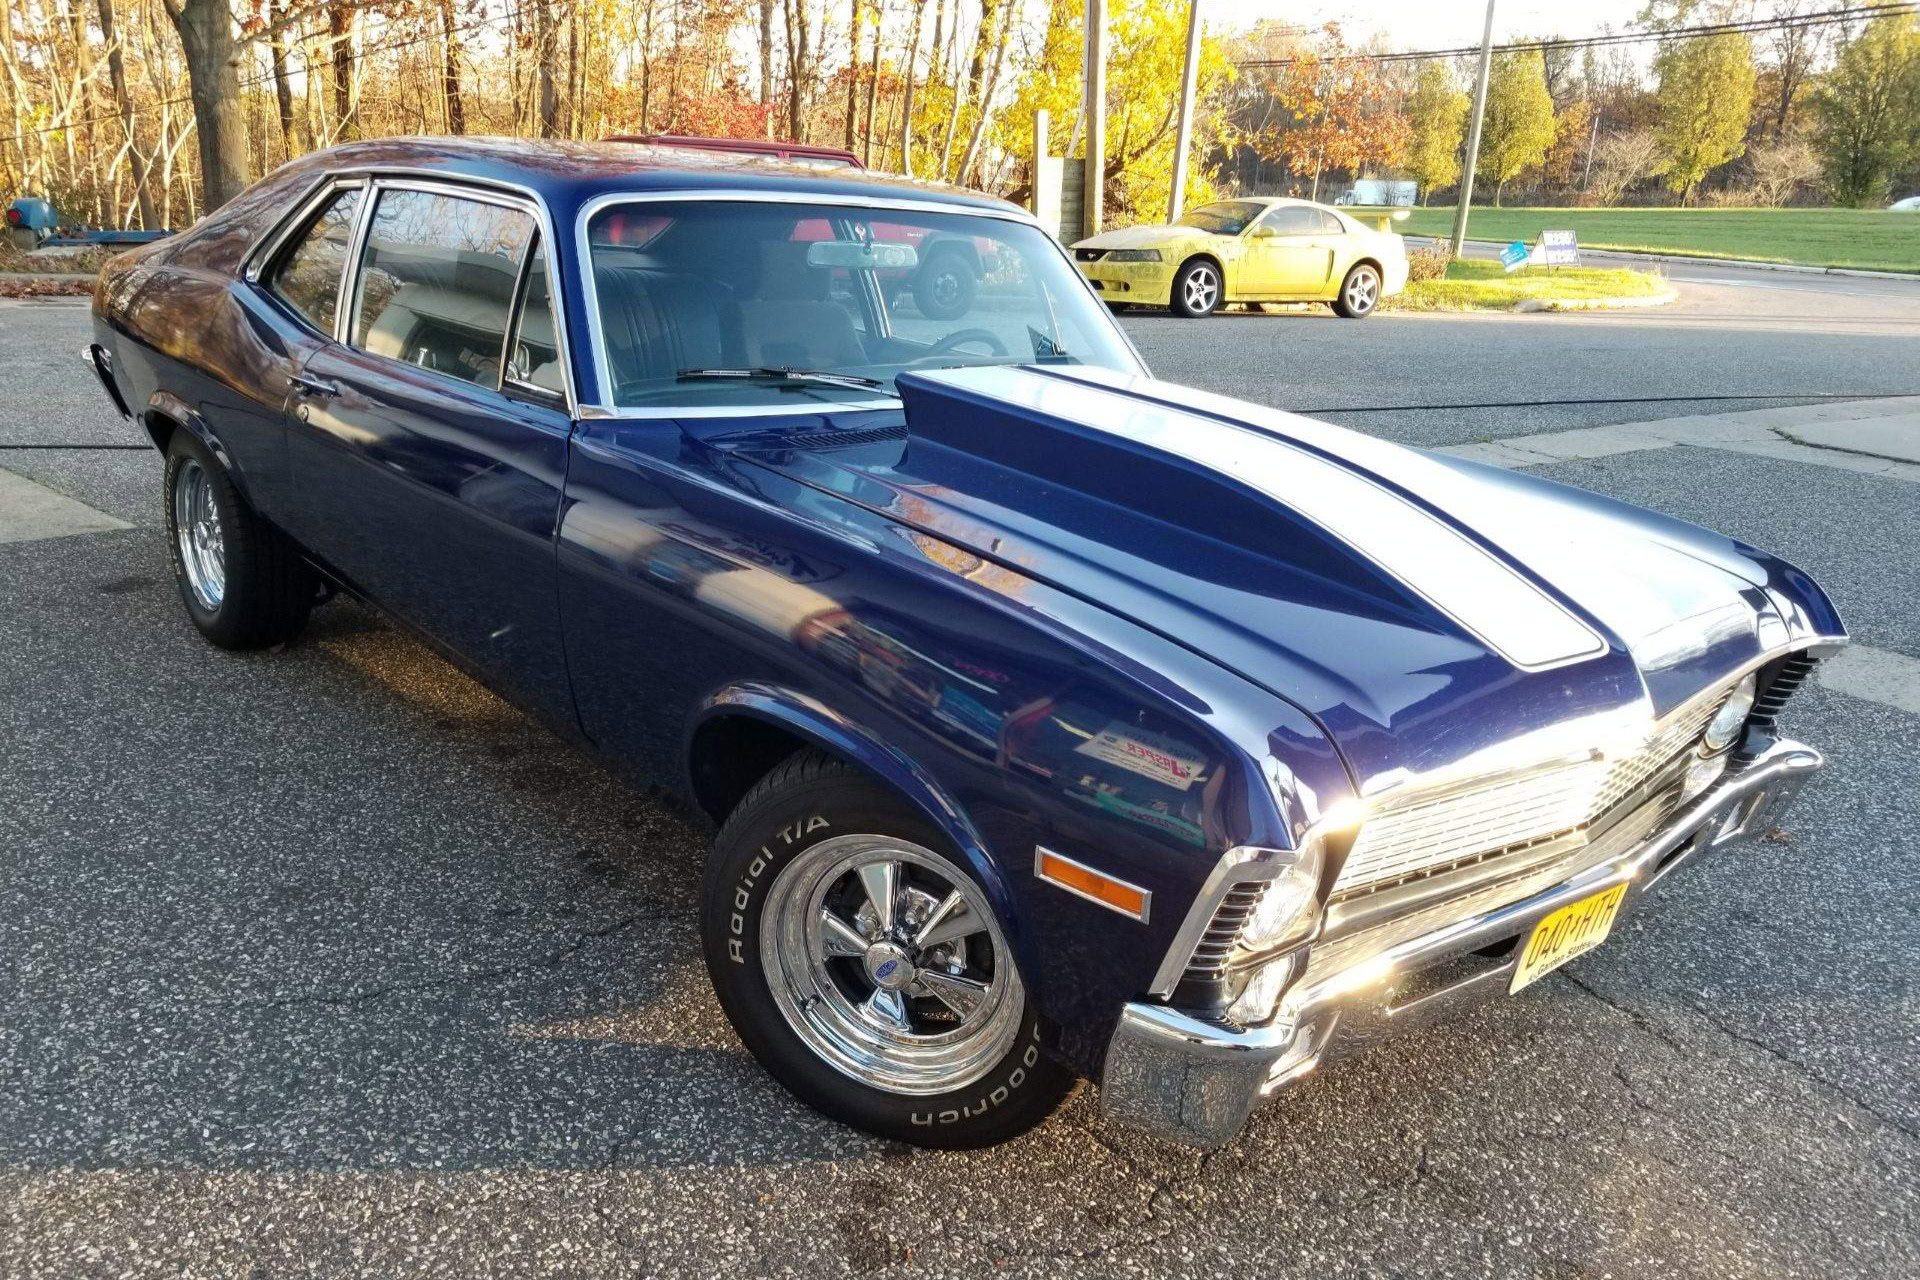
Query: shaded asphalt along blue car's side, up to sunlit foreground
x,y
337,907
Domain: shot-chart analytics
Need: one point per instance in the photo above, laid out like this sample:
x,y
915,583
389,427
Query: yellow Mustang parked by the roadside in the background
x,y
1251,250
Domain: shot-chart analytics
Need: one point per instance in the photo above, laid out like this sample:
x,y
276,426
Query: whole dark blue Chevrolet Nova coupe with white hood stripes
x,y
1053,721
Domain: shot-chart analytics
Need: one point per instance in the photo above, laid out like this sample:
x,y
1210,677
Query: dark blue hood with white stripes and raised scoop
x,y
1433,615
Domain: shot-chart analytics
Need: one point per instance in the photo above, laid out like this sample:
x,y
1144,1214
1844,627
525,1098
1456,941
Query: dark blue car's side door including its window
x,y
429,446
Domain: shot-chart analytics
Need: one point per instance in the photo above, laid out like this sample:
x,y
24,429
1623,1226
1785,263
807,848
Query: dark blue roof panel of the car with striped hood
x,y
567,174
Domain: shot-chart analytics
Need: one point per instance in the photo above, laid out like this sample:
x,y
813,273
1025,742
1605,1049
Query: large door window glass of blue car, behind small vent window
x,y
437,283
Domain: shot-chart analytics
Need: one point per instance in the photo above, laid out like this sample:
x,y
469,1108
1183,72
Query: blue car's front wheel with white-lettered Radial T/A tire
x,y
865,968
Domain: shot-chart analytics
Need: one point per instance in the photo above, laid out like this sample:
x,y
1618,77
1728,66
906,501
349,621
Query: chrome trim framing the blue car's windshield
x,y
604,408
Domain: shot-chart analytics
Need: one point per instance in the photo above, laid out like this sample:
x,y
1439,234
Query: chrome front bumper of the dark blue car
x,y
1195,1081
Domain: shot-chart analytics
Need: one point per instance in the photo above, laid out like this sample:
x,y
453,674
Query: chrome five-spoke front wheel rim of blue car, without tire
x,y
888,964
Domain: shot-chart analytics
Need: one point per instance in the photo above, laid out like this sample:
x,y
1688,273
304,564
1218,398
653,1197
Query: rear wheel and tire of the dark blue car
x,y
243,582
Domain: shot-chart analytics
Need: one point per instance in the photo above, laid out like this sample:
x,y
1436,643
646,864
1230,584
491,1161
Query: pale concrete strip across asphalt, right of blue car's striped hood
x,y
1764,433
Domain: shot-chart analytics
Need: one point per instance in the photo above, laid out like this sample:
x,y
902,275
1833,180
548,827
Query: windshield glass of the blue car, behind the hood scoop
x,y
713,302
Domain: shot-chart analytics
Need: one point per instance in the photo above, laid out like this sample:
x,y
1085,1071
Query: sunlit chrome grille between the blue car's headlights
x,y
1510,815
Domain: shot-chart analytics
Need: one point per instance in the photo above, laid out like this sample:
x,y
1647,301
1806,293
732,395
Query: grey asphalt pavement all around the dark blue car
x,y
327,960
